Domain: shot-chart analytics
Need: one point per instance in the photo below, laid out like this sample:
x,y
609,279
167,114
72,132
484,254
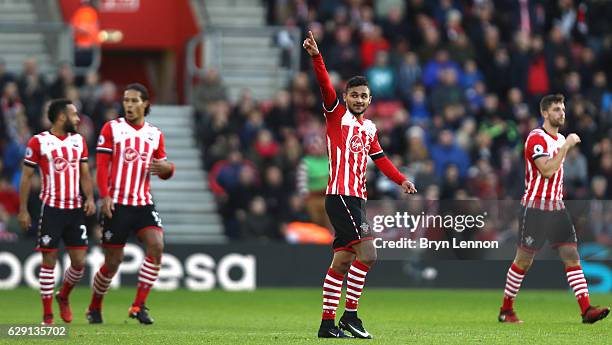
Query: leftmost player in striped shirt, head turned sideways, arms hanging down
x,y
61,156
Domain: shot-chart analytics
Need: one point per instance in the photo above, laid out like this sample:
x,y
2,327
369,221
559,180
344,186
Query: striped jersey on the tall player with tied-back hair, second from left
x,y
132,151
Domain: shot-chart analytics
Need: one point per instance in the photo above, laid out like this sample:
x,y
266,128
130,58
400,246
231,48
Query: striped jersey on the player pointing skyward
x,y
349,143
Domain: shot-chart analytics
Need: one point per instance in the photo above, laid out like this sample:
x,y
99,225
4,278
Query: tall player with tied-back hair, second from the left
x,y
129,150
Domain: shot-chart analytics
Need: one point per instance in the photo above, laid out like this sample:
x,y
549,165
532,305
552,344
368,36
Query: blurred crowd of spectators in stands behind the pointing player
x,y
456,86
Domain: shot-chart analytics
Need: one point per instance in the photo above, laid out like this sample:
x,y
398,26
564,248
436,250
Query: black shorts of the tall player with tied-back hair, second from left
x,y
127,220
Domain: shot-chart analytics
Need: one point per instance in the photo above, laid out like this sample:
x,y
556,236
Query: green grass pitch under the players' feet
x,y
291,316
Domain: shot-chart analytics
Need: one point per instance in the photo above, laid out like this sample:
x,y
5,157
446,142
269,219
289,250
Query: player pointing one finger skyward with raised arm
x,y
350,140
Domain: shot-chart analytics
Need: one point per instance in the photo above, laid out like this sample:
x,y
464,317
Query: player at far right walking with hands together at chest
x,y
543,214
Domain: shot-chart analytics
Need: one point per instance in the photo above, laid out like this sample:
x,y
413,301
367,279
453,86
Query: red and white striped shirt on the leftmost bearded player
x,y
59,162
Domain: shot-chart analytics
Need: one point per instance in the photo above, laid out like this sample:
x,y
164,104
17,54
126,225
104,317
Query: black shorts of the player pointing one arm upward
x,y
348,217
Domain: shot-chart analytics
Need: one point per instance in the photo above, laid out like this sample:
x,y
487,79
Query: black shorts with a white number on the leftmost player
x,y
56,223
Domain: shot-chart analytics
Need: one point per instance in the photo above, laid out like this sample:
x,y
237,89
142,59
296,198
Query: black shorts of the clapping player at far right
x,y
538,226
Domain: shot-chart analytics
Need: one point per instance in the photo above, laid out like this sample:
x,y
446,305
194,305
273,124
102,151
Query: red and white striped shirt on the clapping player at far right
x,y
541,192
